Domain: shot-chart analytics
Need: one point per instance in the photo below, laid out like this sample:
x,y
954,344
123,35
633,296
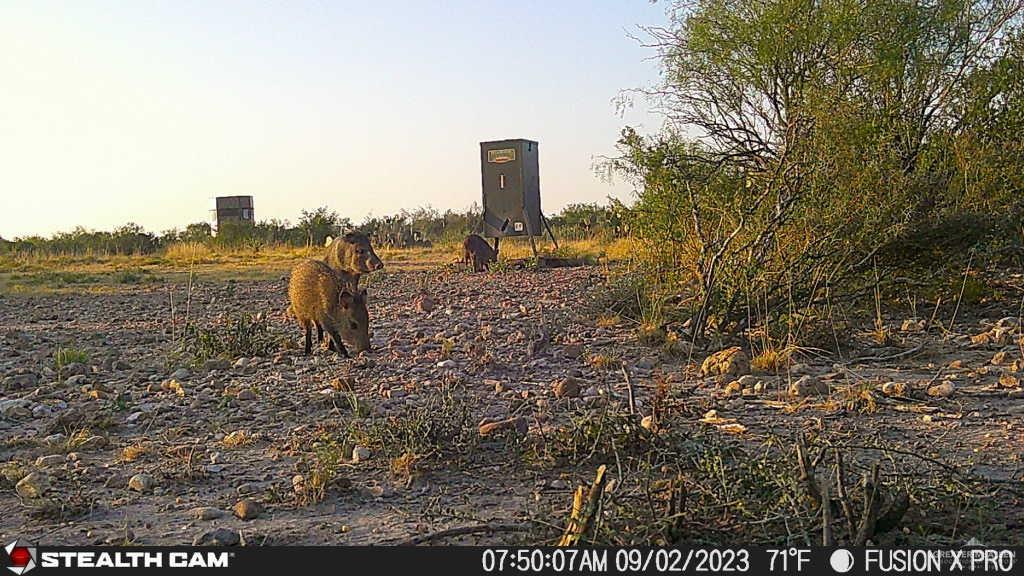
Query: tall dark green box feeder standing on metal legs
x,y
510,176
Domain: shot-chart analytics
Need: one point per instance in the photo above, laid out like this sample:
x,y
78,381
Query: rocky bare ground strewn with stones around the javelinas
x,y
462,417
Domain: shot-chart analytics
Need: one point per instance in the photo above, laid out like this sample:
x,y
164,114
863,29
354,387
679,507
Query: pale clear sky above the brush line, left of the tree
x,y
144,111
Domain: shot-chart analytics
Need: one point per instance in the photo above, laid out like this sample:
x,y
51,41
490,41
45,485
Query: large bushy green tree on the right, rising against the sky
x,y
803,136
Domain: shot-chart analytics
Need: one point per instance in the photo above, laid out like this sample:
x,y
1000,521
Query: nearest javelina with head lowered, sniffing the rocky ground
x,y
319,299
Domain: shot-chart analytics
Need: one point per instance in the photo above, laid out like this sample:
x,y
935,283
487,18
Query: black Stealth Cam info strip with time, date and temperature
x,y
27,558
